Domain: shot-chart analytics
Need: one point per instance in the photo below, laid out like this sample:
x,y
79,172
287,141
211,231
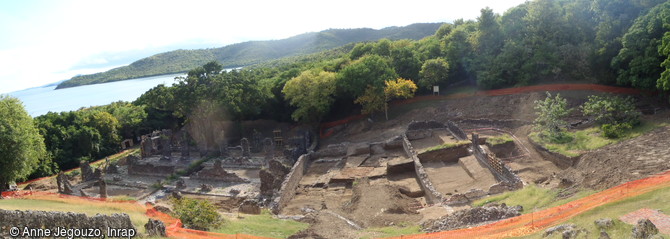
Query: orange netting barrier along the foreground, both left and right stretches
x,y
513,227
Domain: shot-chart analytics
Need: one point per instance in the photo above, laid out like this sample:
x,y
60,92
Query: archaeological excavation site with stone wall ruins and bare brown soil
x,y
430,168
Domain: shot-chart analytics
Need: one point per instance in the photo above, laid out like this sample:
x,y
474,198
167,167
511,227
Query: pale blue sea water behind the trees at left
x,y
40,100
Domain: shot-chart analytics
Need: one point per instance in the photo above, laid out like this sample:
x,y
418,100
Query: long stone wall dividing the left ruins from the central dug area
x,y
291,183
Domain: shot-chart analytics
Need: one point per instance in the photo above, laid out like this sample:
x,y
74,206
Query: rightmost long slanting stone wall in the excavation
x,y
496,166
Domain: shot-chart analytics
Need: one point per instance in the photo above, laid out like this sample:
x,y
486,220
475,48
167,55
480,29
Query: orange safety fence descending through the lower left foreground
x,y
173,226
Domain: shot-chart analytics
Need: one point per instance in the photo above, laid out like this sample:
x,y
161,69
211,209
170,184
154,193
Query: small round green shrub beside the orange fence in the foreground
x,y
197,214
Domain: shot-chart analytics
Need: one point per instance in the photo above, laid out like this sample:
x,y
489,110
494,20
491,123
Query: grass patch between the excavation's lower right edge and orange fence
x,y
531,198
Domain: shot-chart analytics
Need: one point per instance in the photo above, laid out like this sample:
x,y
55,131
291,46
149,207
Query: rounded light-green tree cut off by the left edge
x,y
21,144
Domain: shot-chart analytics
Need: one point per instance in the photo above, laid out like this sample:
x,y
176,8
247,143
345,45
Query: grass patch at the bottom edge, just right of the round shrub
x,y
264,225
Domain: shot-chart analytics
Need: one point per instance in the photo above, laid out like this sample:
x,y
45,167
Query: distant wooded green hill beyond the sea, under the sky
x,y
251,52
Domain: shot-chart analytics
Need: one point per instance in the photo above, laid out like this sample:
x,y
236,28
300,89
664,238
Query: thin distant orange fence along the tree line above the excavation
x,y
326,128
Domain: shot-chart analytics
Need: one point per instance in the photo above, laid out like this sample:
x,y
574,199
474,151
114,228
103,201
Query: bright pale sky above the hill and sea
x,y
45,41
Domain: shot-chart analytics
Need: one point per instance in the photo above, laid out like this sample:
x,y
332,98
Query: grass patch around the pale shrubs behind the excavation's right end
x,y
591,138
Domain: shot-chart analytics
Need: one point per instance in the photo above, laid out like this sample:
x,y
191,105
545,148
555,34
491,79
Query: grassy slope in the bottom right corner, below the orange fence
x,y
654,200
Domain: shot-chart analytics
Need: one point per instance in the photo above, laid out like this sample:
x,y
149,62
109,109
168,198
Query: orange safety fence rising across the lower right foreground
x,y
535,222
